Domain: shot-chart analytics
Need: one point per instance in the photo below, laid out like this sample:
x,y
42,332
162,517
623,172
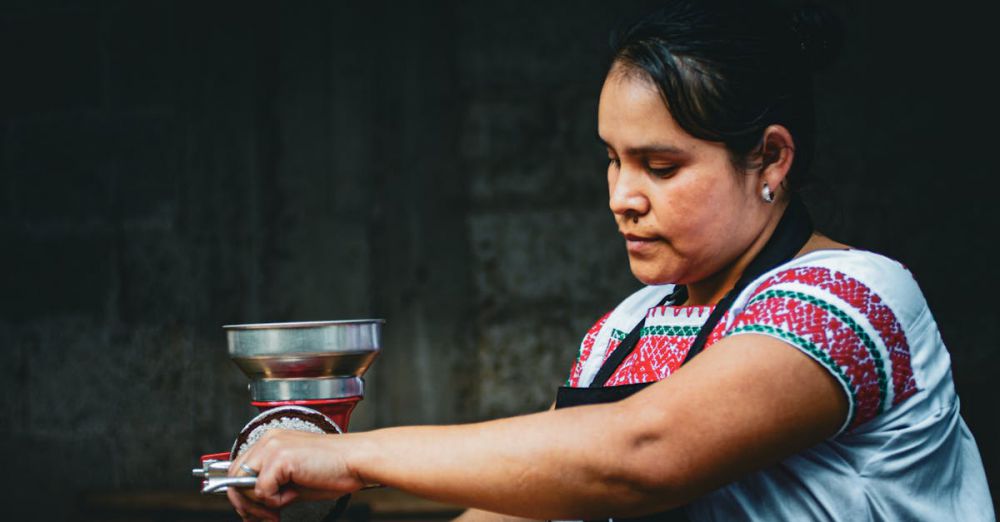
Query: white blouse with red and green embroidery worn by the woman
x,y
903,451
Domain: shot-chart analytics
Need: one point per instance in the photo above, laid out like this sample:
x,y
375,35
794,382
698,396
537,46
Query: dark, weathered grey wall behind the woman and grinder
x,y
169,167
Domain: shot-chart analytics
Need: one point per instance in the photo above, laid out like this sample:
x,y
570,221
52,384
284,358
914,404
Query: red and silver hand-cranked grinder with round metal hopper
x,y
304,376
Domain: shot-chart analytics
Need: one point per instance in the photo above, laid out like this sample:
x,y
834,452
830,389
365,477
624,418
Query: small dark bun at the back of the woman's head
x,y
820,35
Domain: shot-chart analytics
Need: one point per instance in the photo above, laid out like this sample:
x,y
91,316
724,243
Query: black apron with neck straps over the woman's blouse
x,y
791,234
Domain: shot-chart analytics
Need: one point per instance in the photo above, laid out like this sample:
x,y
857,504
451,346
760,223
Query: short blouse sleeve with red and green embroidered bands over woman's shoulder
x,y
857,313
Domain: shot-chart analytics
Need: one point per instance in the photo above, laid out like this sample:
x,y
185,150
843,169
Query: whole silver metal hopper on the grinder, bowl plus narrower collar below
x,y
305,360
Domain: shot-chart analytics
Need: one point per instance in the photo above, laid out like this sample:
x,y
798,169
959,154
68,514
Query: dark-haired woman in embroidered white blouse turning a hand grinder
x,y
765,372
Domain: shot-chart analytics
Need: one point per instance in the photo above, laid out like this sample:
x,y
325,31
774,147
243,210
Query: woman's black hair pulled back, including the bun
x,y
729,68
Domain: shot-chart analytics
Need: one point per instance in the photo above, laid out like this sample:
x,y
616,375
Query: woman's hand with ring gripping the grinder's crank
x,y
291,465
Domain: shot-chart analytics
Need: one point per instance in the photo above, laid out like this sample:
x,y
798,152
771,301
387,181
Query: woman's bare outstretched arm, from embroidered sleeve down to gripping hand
x,y
745,403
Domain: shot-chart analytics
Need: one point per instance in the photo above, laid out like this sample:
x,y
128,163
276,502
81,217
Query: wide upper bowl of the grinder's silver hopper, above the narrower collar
x,y
305,350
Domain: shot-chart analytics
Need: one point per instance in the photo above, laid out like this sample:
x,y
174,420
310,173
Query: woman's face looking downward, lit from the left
x,y
686,212
